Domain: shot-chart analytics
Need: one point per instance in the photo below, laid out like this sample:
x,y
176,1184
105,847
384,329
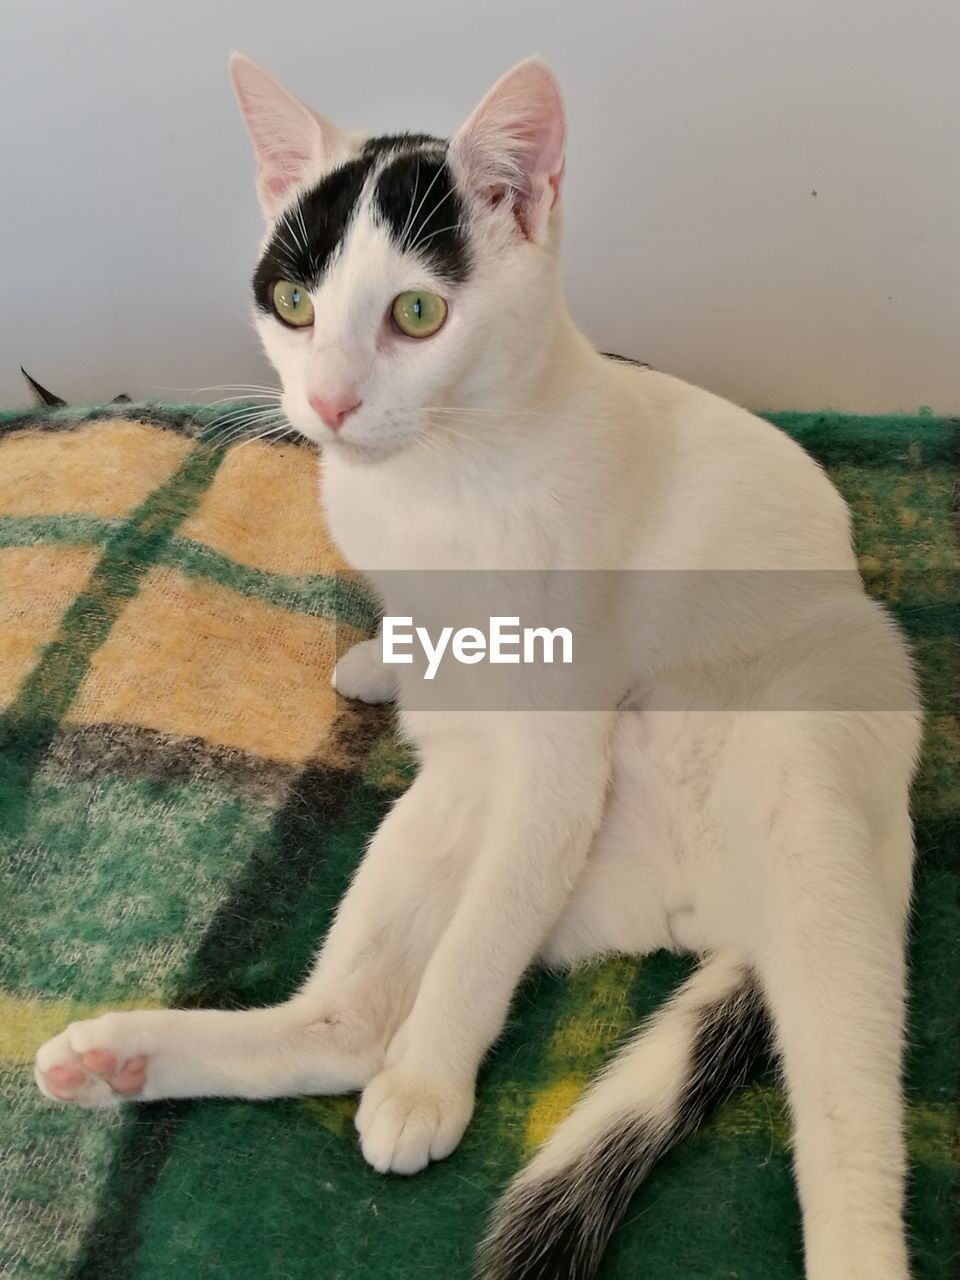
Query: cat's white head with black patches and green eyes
x,y
405,276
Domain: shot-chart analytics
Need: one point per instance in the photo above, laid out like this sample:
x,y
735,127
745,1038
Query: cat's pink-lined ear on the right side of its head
x,y
511,149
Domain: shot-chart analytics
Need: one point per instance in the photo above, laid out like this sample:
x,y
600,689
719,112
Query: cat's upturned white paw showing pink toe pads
x,y
93,1064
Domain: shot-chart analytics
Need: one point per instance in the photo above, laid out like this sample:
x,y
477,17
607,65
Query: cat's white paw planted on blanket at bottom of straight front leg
x,y
406,1121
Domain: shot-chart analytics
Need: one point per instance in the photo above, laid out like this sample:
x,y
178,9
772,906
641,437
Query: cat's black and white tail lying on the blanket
x,y
555,1220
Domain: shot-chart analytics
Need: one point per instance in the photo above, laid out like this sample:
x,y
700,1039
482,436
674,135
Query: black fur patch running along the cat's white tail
x,y
557,1229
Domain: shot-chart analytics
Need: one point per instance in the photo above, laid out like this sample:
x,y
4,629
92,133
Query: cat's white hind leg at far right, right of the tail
x,y
831,963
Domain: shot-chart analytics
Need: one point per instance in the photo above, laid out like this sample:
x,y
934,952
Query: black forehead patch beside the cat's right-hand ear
x,y
422,208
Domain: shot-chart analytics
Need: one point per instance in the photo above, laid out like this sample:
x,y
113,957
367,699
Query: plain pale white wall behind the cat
x,y
764,196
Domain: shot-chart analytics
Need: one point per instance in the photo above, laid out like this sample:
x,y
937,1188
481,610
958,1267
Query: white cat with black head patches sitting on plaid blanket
x,y
738,789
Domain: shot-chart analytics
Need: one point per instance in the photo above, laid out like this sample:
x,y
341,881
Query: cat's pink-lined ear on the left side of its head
x,y
292,144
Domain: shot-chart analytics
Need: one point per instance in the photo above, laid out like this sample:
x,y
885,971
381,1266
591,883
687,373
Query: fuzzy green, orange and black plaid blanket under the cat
x,y
182,802
